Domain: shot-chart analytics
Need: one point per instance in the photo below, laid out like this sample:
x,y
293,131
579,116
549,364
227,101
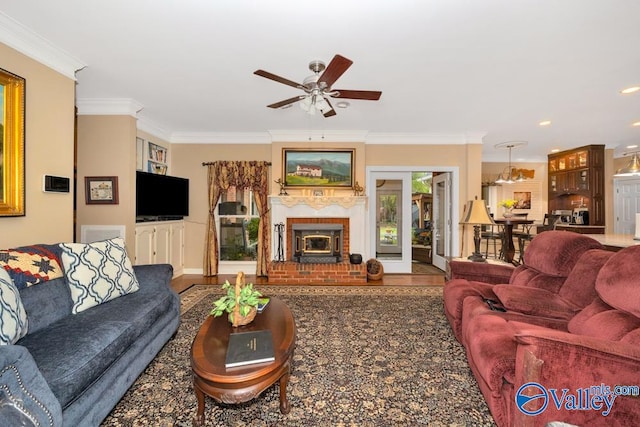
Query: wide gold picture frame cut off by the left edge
x,y
12,124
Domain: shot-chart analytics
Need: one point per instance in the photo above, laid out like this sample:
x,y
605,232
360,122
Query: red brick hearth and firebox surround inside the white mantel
x,y
291,272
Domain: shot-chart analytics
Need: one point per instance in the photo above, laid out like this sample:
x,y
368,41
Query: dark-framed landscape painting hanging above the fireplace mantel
x,y
317,168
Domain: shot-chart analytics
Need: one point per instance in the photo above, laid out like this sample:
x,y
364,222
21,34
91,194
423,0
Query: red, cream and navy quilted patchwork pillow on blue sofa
x,y
31,265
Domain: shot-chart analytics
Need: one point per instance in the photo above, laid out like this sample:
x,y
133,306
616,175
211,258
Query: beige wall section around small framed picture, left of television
x,y
106,147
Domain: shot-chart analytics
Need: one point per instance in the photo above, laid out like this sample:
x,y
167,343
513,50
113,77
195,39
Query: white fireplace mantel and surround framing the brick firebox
x,y
352,207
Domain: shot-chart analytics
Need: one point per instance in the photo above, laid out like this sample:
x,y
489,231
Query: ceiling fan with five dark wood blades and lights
x,y
318,87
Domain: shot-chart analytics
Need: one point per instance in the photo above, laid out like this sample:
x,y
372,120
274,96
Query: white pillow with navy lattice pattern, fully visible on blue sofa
x,y
97,272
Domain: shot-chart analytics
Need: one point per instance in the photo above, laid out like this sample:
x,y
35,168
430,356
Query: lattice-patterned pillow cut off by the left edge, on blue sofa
x,y
12,314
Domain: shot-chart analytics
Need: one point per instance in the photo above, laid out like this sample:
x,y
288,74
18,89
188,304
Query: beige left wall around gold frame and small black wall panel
x,y
49,136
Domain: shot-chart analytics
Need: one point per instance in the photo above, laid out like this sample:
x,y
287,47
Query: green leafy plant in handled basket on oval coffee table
x,y
241,302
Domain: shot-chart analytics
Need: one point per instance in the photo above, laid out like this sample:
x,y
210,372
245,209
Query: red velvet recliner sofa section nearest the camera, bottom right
x,y
570,361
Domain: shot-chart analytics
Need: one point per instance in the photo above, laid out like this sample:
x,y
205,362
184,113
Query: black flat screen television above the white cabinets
x,y
161,197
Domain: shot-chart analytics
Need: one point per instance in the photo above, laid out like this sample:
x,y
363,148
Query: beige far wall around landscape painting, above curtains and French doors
x,y
187,159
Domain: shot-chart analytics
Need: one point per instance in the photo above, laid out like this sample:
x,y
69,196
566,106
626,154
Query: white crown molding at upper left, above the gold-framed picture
x,y
27,42
